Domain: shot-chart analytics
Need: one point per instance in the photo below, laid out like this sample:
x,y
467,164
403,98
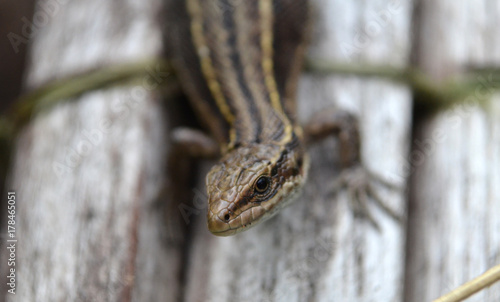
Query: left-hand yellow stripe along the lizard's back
x,y
195,10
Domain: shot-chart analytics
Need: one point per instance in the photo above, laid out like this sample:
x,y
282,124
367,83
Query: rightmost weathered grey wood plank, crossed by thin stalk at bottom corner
x,y
455,205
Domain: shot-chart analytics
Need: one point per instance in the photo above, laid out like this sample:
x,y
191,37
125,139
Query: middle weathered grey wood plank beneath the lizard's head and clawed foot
x,y
315,250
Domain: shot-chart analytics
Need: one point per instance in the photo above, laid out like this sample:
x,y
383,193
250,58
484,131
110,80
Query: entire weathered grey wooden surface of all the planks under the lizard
x,y
89,228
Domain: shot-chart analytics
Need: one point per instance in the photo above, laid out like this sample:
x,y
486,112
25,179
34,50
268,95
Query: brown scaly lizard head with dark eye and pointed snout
x,y
251,183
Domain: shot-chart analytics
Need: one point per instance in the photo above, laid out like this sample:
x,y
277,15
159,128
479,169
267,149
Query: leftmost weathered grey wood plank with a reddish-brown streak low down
x,y
87,172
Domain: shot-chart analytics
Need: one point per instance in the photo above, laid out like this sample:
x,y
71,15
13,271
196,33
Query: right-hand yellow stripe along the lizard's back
x,y
266,42
